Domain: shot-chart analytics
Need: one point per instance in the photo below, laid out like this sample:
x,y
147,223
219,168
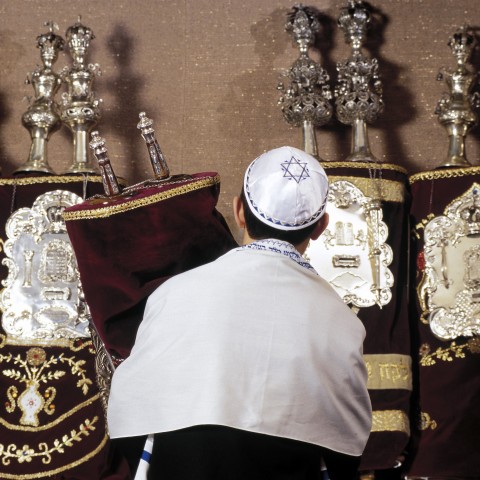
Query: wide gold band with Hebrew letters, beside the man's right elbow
x,y
389,371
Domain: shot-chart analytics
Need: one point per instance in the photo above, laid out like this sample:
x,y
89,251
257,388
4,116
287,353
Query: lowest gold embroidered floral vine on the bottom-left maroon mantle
x,y
45,451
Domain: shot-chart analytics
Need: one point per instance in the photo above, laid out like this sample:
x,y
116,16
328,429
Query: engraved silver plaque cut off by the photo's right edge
x,y
452,268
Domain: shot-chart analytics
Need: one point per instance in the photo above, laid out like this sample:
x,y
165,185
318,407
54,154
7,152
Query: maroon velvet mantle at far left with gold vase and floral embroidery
x,y
89,456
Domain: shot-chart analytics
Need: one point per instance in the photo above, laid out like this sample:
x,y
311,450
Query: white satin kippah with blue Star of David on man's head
x,y
286,188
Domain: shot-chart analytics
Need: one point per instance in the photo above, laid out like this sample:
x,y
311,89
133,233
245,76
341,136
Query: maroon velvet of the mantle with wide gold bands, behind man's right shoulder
x,y
387,327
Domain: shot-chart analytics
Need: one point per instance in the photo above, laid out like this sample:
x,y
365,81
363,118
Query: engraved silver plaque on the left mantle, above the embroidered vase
x,y
41,298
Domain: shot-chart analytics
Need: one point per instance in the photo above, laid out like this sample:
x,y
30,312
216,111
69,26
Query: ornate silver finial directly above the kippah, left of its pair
x,y
306,94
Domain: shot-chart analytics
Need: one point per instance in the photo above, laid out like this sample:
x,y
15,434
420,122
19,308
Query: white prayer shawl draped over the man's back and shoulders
x,y
253,341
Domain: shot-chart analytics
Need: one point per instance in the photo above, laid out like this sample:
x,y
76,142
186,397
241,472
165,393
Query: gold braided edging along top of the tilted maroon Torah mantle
x,y
104,212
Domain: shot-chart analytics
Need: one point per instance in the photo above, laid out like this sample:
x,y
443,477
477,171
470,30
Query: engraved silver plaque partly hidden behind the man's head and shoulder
x,y
352,253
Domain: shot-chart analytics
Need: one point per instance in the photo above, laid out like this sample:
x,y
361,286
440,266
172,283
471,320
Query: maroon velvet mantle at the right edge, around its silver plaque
x,y
448,444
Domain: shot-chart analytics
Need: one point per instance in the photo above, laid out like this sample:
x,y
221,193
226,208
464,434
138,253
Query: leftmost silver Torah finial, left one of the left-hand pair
x,y
42,117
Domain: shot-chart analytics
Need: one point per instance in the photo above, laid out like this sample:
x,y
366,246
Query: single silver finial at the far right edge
x,y
455,110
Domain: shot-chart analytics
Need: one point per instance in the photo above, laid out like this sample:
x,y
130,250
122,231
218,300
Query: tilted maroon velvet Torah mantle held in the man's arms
x,y
127,247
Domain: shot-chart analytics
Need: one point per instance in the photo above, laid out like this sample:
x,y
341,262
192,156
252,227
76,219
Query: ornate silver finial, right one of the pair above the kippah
x,y
358,93
